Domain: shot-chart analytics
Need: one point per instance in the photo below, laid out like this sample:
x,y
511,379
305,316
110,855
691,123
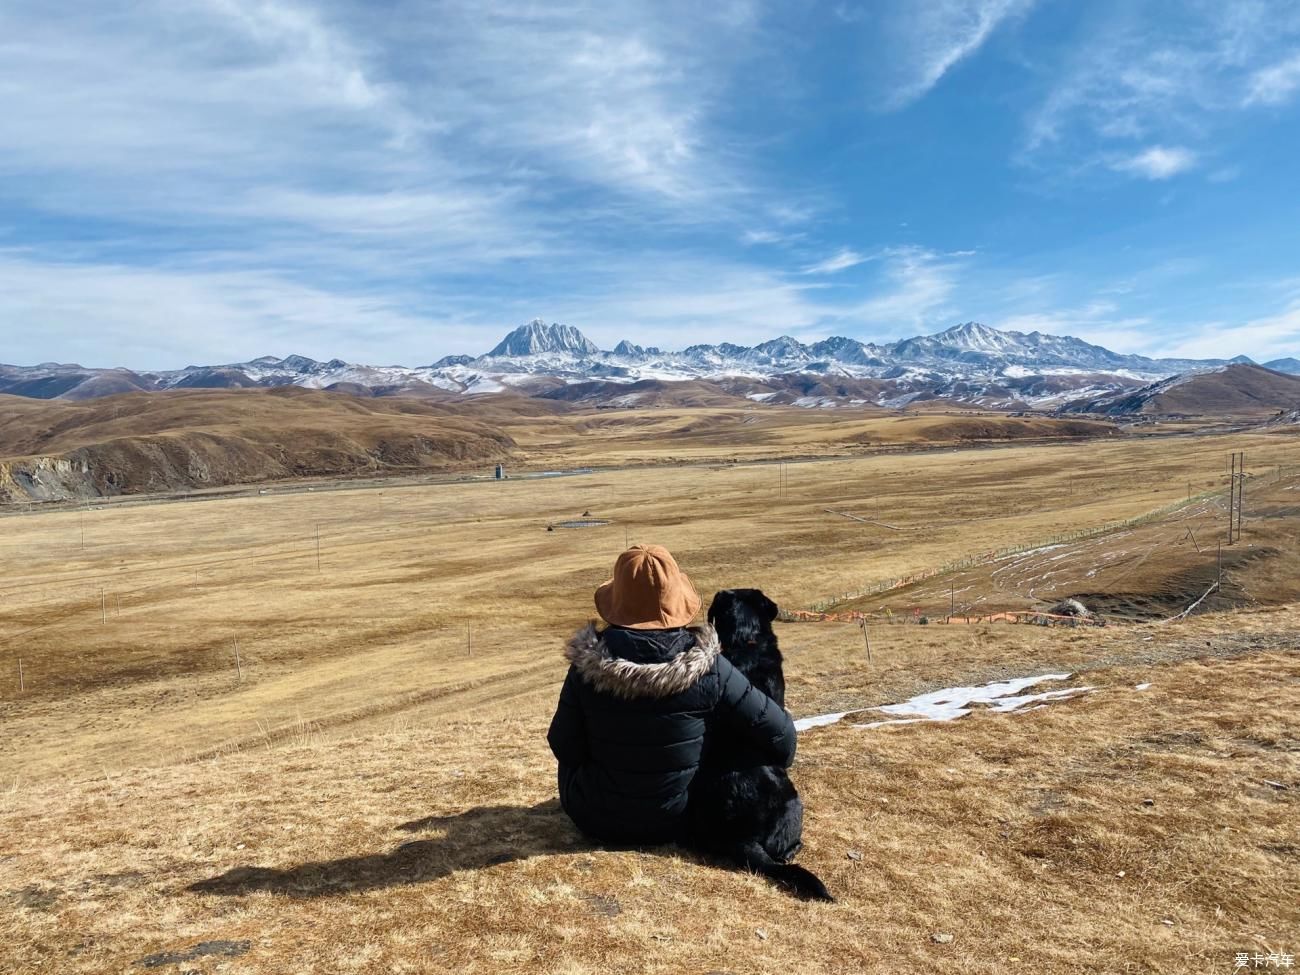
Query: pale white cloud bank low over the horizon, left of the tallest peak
x,y
150,318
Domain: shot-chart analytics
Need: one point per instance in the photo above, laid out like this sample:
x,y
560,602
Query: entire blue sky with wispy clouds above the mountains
x,y
201,181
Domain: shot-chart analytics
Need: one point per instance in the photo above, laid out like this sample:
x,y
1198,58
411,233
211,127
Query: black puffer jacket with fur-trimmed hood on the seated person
x,y
630,729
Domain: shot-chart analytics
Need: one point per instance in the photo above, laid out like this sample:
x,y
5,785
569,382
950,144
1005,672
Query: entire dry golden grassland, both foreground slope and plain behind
x,y
151,801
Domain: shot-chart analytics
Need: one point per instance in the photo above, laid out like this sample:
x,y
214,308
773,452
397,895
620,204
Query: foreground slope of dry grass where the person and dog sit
x,y
1028,838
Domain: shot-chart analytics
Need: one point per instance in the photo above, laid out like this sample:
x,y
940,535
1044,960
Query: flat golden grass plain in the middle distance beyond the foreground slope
x,y
406,571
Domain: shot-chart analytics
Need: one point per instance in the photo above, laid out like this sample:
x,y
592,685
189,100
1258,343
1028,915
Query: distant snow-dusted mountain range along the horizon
x,y
968,363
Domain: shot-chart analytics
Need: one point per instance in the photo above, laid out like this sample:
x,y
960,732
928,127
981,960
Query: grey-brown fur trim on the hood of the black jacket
x,y
629,679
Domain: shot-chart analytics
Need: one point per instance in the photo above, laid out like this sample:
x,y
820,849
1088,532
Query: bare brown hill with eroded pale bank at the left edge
x,y
200,439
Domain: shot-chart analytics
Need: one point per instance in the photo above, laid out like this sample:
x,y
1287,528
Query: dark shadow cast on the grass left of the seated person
x,y
479,838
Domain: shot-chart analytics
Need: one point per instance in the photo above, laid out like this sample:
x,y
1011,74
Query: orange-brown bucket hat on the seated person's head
x,y
648,592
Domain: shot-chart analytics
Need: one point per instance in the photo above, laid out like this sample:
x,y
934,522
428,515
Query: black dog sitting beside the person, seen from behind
x,y
742,811
